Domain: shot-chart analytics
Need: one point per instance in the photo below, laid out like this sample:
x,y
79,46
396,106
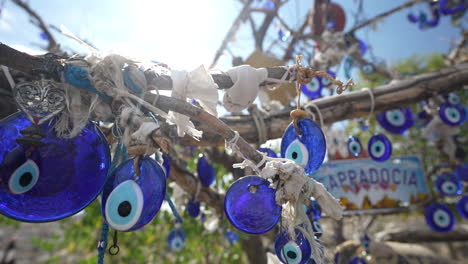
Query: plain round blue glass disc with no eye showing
x,y
250,205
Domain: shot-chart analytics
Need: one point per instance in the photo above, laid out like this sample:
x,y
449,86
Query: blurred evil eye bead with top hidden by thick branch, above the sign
x,y
396,121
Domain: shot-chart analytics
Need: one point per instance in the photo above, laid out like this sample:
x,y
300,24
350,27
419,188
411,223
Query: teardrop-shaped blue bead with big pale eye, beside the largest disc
x,y
129,200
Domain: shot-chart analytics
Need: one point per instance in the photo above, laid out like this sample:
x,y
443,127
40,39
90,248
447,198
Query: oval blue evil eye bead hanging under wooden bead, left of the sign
x,y
308,149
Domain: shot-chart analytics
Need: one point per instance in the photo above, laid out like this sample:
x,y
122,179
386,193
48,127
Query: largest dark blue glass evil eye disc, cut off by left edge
x,y
52,181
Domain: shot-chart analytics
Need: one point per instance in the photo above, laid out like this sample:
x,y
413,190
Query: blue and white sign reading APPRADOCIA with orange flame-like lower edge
x,y
367,184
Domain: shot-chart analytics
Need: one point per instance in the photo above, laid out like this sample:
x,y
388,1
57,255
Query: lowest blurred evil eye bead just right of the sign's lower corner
x,y
439,217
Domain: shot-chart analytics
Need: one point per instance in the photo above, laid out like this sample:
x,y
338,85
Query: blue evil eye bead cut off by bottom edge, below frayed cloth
x,y
293,251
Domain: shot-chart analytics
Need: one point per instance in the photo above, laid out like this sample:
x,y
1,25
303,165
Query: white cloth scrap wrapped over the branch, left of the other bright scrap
x,y
199,85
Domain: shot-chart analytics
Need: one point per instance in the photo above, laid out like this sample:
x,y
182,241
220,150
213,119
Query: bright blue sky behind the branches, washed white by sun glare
x,y
185,34
